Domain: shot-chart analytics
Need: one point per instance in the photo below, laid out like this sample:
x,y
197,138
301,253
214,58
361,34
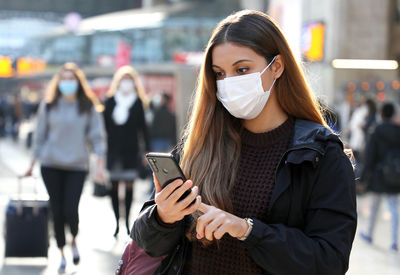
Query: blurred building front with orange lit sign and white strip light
x,y
352,46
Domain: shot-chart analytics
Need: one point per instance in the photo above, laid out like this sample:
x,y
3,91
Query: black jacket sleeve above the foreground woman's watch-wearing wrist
x,y
323,245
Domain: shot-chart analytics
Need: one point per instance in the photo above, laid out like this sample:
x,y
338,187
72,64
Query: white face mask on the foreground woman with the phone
x,y
243,96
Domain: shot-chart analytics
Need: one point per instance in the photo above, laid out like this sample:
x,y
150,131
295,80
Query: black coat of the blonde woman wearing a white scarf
x,y
123,140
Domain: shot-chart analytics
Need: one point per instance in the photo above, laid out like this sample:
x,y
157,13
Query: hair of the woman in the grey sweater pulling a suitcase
x,y
86,98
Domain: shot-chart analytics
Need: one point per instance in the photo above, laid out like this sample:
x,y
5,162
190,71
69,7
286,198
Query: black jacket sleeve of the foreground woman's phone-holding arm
x,y
156,239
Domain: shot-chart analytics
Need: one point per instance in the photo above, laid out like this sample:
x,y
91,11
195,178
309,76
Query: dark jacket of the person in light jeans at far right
x,y
385,138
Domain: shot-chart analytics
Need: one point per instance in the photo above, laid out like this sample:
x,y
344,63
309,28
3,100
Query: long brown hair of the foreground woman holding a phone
x,y
212,143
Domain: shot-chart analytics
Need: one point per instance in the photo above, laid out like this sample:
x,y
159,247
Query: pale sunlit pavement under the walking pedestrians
x,y
100,252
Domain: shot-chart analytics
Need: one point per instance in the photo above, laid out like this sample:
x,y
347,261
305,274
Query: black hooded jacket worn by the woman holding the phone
x,y
312,213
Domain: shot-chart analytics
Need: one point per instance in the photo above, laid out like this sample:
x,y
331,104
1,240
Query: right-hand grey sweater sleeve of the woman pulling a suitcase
x,y
96,133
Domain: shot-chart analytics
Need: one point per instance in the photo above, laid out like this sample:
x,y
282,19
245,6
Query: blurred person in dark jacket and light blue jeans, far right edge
x,y
381,173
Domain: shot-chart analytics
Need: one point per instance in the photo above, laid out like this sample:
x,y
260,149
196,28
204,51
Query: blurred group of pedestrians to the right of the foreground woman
x,y
371,129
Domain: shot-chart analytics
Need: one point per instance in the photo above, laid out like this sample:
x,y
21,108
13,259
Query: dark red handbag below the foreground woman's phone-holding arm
x,y
135,260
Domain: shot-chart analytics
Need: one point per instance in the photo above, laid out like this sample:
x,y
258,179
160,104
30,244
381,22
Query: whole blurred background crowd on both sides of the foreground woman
x,y
129,124
